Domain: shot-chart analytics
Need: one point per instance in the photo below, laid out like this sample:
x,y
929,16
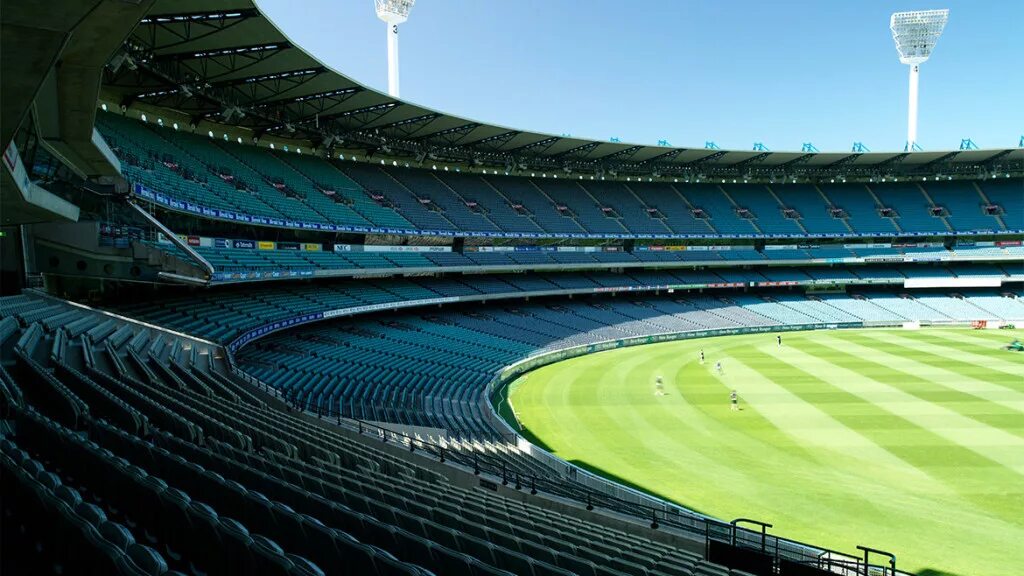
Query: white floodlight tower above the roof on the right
x,y
916,35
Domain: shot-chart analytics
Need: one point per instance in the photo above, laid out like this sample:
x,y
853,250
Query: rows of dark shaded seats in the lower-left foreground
x,y
149,457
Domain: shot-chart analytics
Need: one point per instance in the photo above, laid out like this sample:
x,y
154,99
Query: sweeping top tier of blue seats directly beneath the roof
x,y
303,188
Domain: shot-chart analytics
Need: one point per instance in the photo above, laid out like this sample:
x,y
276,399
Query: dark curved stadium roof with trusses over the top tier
x,y
223,61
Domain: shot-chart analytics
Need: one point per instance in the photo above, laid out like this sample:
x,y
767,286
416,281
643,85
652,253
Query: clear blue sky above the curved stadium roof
x,y
735,72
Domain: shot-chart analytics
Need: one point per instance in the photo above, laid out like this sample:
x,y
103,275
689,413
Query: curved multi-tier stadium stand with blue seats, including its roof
x,y
259,318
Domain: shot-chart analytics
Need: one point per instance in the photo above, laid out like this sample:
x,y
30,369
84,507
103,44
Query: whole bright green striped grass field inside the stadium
x,y
907,441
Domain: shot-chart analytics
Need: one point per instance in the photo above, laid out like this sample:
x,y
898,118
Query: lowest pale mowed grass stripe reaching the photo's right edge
x,y
995,444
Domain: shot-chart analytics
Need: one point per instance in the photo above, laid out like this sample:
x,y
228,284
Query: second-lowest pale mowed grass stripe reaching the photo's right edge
x,y
906,357
